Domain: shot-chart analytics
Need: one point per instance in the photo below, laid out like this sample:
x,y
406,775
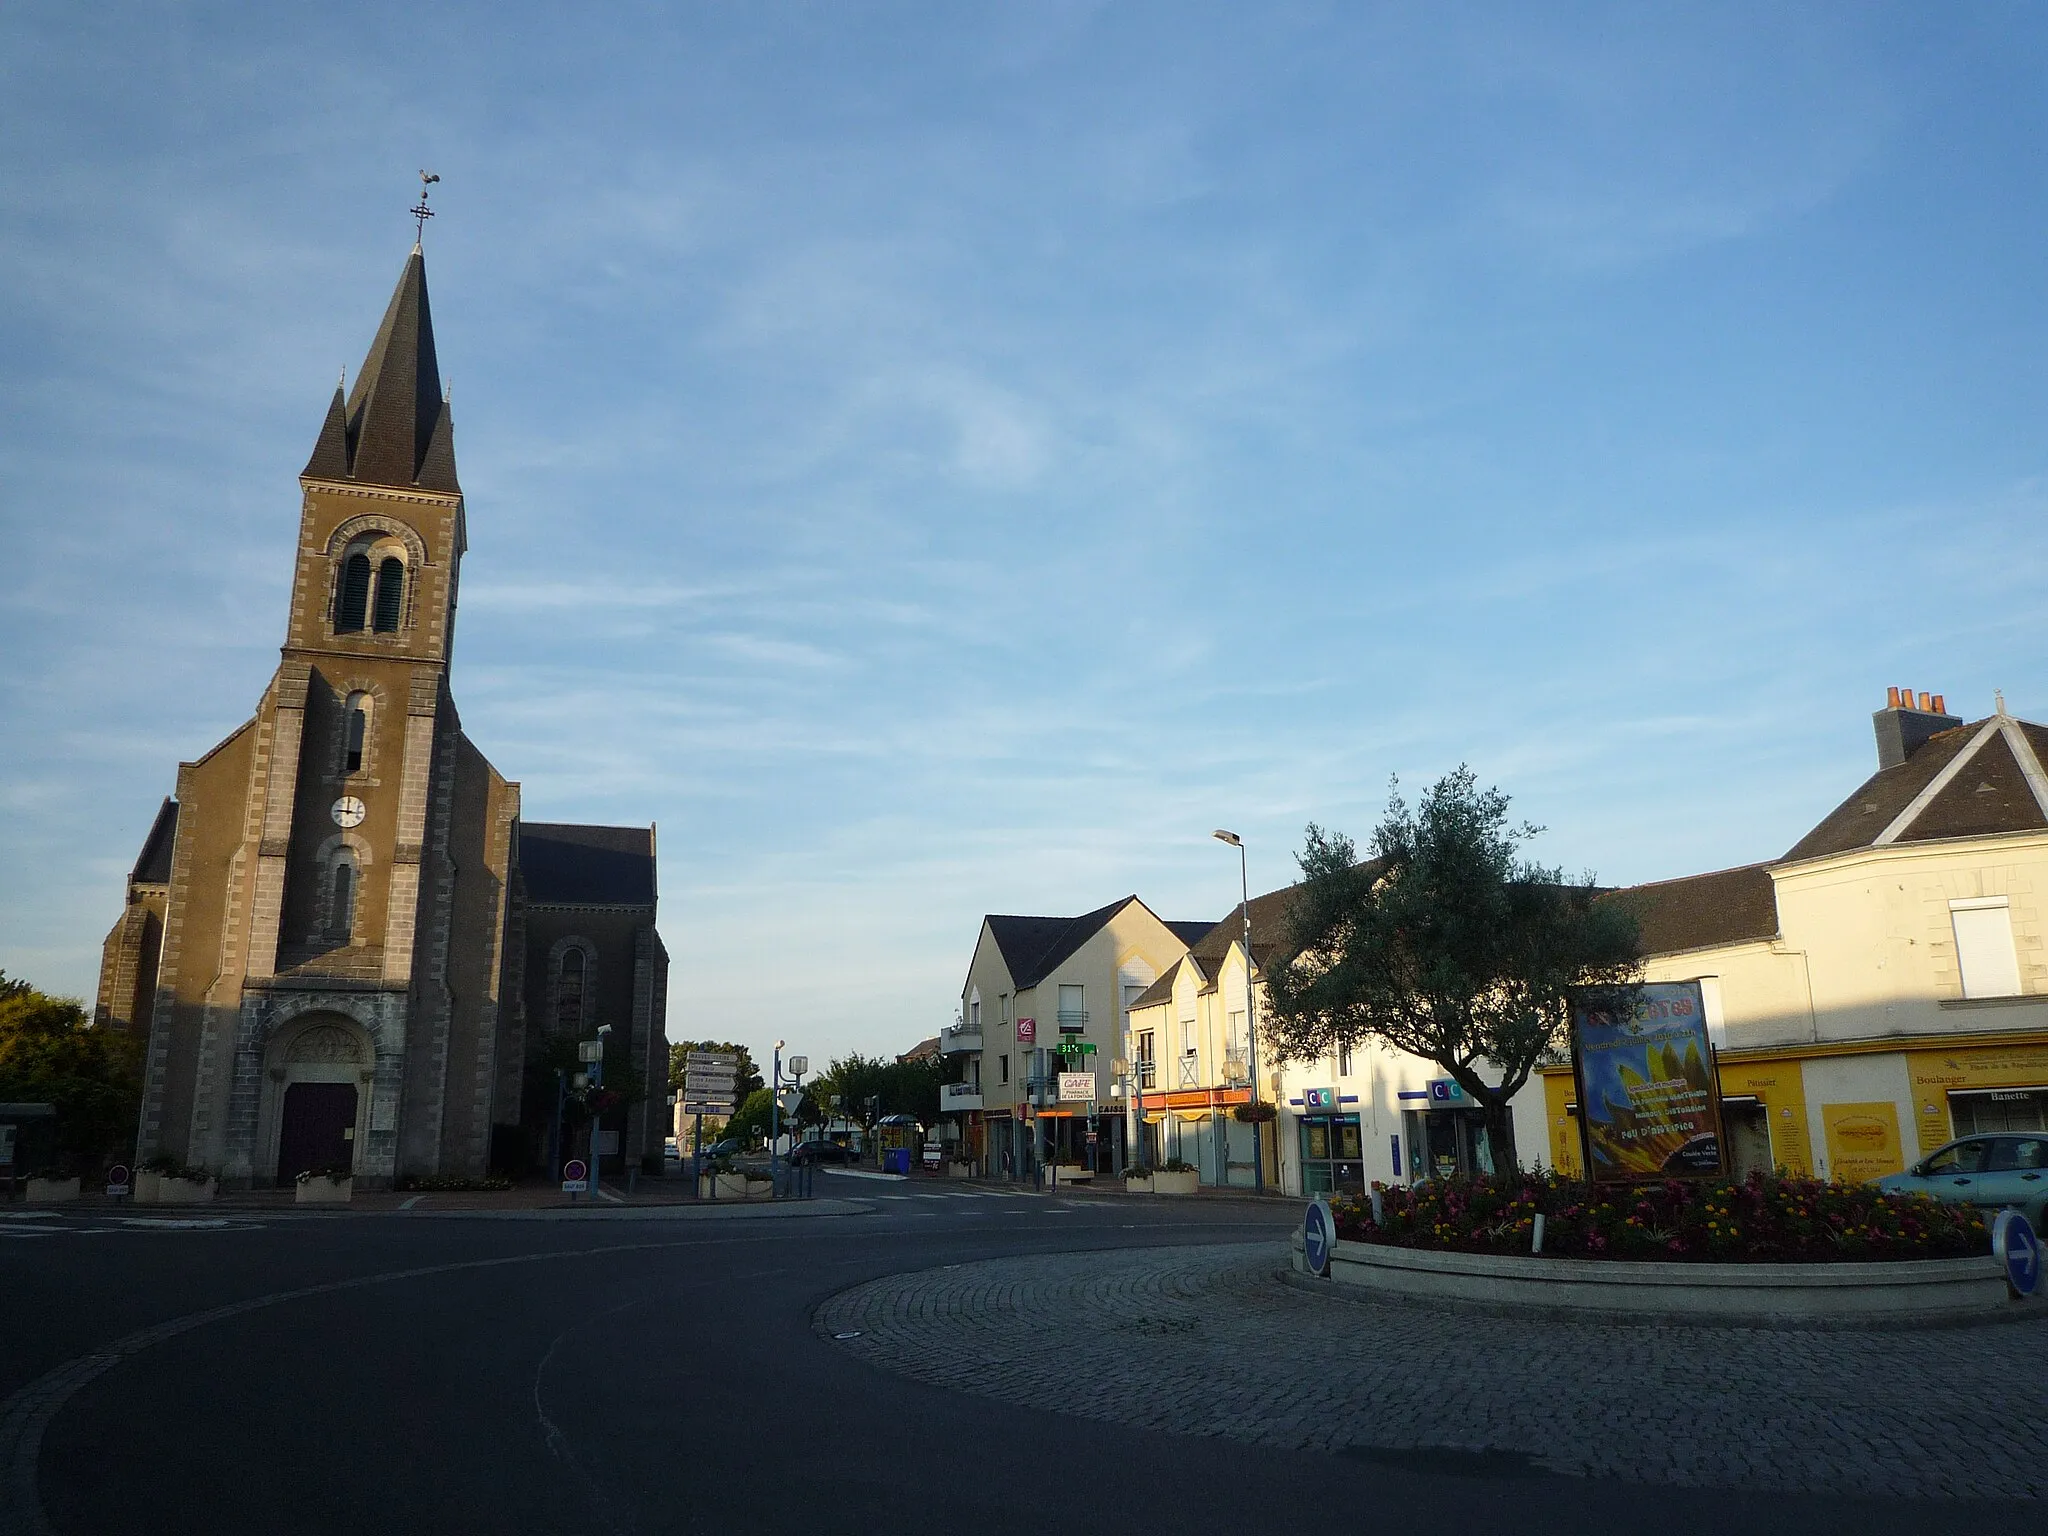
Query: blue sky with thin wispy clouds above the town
x,y
941,460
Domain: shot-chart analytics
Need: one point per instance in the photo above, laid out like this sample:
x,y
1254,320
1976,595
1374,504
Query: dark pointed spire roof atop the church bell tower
x,y
394,427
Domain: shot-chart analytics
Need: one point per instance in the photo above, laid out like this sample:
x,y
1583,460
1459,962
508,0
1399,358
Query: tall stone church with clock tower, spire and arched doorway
x,y
343,941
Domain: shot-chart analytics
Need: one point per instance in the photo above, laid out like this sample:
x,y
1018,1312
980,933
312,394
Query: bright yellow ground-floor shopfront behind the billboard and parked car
x,y
1852,1111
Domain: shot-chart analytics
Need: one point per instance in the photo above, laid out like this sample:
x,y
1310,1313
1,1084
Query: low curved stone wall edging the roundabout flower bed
x,y
1928,1293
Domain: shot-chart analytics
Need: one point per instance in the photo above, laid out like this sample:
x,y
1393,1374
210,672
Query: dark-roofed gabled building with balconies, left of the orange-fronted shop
x,y
1041,1033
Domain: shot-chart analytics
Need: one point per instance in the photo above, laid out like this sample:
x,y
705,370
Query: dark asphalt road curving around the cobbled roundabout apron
x,y
351,1373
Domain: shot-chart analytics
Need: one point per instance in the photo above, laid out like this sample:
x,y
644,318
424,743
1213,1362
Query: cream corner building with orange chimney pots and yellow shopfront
x,y
1883,986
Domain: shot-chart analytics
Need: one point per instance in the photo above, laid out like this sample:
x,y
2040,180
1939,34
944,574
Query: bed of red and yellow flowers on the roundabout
x,y
1766,1220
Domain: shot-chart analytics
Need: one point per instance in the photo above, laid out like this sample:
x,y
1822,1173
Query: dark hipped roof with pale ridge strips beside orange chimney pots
x,y
1973,781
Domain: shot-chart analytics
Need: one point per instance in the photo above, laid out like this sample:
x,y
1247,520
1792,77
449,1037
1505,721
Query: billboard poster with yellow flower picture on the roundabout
x,y
1650,1105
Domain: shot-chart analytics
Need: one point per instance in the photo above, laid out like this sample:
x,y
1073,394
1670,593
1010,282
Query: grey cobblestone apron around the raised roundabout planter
x,y
1205,1340
